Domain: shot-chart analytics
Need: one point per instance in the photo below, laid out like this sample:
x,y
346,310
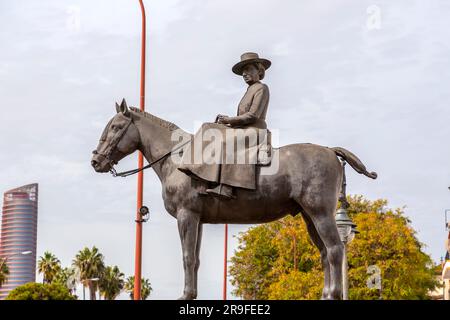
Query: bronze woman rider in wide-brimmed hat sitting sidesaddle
x,y
250,118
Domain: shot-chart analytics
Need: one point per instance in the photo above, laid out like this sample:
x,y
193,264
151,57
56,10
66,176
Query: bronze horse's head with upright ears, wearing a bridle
x,y
119,139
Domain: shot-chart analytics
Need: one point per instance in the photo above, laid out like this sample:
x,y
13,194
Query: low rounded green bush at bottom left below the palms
x,y
39,291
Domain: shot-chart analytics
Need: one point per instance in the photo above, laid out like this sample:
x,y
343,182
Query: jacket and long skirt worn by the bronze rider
x,y
214,160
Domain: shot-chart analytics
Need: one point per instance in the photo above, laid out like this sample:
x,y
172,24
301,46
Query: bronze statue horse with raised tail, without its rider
x,y
308,181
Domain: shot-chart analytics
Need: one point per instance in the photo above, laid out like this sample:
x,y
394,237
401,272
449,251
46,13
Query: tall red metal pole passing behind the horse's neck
x,y
140,186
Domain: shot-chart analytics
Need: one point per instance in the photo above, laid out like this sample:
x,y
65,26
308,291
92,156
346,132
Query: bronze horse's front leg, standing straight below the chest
x,y
188,225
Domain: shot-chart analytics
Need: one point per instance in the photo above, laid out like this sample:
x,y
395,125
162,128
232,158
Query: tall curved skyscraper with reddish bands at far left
x,y
19,235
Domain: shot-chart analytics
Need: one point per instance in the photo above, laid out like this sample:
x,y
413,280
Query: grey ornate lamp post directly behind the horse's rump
x,y
347,231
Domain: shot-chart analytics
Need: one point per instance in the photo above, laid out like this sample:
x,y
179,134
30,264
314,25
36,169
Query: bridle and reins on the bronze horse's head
x,y
113,145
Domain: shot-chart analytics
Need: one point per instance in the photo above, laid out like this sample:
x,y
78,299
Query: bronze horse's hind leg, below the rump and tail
x,y
322,217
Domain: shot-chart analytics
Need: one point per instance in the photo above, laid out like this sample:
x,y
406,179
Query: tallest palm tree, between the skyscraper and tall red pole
x,y
89,265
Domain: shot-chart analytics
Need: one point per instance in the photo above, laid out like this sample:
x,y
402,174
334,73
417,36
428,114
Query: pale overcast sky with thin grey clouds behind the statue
x,y
372,77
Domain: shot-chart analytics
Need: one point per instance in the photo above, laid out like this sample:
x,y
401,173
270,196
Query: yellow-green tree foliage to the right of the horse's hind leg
x,y
389,242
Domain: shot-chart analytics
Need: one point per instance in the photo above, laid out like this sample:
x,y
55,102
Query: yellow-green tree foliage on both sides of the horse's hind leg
x,y
278,261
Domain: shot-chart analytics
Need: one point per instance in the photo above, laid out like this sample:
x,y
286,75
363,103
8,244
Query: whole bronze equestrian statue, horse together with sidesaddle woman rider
x,y
228,172
